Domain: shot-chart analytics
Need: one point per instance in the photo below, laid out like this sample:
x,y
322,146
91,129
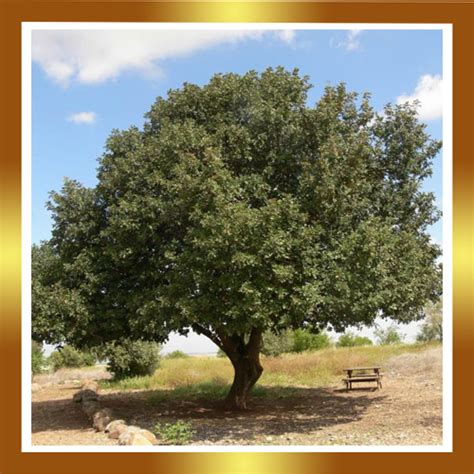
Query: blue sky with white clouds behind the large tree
x,y
85,83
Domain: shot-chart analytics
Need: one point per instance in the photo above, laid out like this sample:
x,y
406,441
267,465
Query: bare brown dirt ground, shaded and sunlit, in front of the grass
x,y
406,411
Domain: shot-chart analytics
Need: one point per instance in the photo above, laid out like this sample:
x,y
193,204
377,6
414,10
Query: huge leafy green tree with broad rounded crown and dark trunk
x,y
238,209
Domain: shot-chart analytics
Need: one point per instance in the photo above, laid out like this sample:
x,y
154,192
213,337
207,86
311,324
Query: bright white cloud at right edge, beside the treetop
x,y
429,94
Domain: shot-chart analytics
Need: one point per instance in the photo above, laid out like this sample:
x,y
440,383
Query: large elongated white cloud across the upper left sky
x,y
95,56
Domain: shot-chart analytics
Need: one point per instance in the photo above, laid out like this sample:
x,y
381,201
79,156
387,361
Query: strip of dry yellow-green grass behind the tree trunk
x,y
210,377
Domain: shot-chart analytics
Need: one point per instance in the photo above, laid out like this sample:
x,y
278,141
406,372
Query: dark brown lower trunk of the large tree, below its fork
x,y
247,370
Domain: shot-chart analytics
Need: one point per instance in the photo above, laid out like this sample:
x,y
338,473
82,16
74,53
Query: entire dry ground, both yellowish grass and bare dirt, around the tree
x,y
299,401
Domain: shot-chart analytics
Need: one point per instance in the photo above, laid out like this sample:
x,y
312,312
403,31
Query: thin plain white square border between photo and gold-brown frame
x,y
28,27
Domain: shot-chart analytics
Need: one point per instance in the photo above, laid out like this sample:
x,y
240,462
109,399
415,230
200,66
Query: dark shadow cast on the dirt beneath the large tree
x,y
276,412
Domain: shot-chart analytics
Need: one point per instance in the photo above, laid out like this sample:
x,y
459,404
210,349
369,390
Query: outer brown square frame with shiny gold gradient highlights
x,y
11,458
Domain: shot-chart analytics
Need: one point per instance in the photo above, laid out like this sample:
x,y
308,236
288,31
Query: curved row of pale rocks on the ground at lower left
x,y
103,419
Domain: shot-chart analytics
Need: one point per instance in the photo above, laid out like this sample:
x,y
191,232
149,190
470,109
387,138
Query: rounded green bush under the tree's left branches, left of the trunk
x,y
129,358
